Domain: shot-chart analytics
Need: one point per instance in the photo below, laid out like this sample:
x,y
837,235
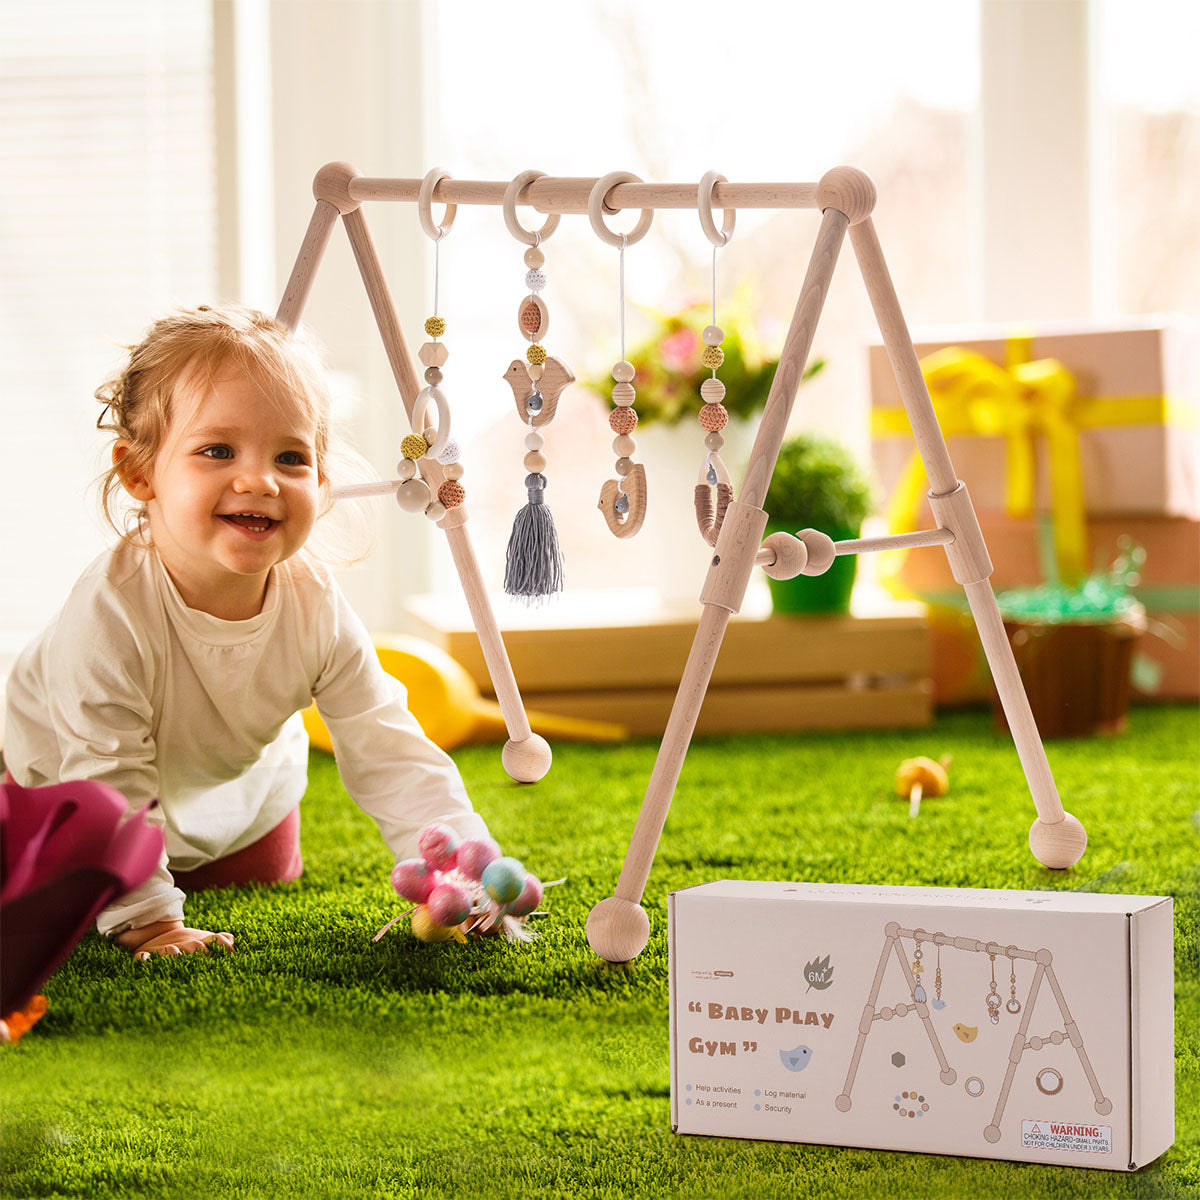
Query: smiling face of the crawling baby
x,y
236,491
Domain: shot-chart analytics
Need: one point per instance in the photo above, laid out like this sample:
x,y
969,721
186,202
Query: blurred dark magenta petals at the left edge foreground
x,y
67,853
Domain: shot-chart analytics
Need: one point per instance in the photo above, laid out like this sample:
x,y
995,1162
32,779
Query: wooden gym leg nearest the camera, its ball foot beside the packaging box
x,y
619,927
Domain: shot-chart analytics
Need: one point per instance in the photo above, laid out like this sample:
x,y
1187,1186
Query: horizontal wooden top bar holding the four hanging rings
x,y
571,195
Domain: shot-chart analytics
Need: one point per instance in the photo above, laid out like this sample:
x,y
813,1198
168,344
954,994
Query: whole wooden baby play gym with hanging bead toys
x,y
430,472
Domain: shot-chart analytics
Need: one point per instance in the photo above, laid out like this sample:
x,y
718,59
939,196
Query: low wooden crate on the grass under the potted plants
x,y
773,674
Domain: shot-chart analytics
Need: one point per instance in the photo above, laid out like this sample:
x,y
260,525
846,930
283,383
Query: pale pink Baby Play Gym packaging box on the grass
x,y
1023,1025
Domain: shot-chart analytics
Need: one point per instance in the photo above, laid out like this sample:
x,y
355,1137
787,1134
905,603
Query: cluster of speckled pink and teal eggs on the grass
x,y
465,889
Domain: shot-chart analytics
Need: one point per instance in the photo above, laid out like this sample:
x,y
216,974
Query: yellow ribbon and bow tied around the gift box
x,y
1023,401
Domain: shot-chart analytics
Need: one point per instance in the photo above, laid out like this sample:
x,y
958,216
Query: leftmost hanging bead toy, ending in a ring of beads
x,y
431,442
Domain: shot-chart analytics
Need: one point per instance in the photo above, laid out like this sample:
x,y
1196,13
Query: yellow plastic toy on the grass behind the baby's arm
x,y
448,705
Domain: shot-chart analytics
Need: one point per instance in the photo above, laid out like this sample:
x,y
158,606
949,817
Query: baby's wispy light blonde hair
x,y
194,346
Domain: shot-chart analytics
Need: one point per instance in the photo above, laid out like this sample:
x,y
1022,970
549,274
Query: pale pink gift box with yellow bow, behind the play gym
x,y
1129,400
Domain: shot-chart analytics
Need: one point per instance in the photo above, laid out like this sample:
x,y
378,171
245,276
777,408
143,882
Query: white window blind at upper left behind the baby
x,y
107,219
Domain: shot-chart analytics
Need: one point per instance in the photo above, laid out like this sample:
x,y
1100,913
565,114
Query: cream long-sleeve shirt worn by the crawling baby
x,y
130,687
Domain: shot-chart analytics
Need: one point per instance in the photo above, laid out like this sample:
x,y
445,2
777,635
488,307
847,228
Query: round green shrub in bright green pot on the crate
x,y
818,485
